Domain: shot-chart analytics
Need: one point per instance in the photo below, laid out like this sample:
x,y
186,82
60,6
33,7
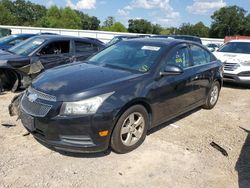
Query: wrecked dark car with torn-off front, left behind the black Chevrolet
x,y
20,64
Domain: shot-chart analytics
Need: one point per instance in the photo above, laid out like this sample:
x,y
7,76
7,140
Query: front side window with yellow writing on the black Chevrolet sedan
x,y
179,57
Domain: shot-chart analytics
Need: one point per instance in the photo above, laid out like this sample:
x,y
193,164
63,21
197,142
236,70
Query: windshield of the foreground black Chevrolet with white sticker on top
x,y
131,56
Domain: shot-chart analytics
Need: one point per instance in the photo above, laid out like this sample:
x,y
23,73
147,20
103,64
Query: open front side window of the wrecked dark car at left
x,y
58,47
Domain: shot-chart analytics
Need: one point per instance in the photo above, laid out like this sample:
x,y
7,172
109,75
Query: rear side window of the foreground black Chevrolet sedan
x,y
200,56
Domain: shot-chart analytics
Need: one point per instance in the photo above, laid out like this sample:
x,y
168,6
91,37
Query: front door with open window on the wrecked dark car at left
x,y
55,53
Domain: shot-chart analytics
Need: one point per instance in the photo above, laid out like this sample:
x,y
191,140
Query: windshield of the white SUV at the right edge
x,y
236,47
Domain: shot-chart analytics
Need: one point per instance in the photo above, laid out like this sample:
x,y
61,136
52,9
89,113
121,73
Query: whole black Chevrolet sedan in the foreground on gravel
x,y
119,94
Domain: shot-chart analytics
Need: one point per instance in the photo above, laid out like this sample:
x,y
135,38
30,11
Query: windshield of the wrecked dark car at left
x,y
27,46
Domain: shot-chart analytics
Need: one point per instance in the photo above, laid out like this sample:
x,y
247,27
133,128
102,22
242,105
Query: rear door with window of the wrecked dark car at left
x,y
84,49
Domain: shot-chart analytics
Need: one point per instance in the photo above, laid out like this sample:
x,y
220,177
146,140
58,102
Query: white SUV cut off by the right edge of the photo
x,y
236,57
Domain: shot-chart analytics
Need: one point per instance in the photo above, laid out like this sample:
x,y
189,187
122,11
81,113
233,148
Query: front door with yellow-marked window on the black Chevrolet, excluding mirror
x,y
174,94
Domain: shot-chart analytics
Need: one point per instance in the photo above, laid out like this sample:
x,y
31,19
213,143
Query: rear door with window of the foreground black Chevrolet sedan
x,y
205,68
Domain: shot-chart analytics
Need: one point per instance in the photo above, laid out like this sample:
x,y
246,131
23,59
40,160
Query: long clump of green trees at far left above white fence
x,y
25,13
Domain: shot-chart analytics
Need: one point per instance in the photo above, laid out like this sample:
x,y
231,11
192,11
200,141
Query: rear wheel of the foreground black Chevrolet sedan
x,y
213,96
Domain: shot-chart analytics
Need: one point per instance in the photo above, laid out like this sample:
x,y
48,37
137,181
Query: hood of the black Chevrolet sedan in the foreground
x,y
80,80
